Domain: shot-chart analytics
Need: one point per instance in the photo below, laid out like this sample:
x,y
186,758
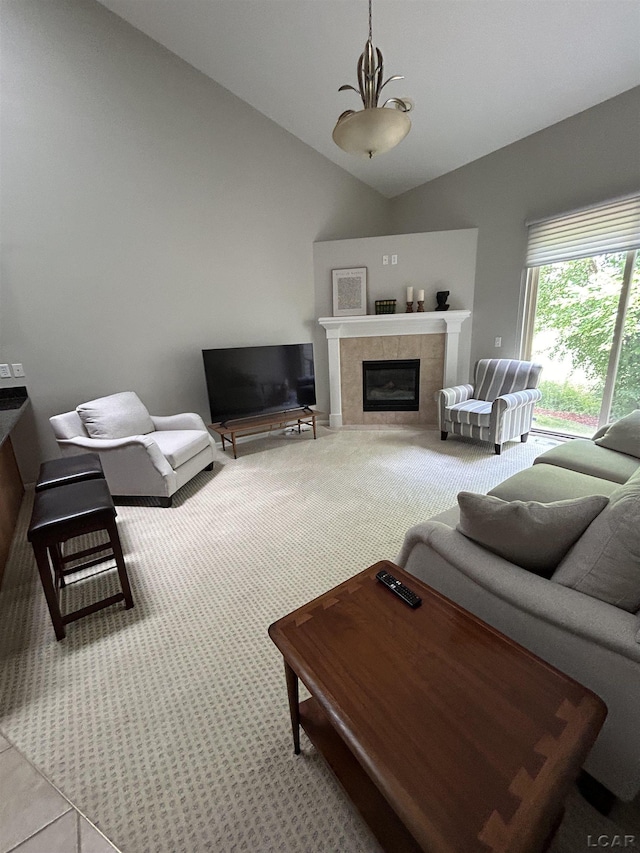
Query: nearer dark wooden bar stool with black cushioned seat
x,y
60,514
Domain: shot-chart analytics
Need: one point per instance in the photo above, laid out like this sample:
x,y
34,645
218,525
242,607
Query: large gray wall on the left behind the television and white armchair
x,y
146,213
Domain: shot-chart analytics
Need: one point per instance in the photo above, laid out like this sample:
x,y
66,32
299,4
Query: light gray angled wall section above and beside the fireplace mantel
x,y
441,260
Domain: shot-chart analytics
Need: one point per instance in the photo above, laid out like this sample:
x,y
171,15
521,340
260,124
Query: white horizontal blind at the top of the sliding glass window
x,y
611,227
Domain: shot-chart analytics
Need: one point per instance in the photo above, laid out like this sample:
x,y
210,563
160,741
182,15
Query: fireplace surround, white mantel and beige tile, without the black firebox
x,y
432,337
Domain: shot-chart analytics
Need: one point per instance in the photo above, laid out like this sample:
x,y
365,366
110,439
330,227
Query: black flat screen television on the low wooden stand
x,y
247,381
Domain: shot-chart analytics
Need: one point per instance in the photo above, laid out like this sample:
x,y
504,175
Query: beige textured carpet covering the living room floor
x,y
167,725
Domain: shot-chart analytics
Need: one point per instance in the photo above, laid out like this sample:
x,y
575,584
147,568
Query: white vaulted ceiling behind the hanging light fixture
x,y
482,73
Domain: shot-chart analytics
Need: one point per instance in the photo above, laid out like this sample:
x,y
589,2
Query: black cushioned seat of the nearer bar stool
x,y
66,504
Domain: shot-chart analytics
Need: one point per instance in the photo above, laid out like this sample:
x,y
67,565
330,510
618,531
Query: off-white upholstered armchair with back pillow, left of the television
x,y
141,454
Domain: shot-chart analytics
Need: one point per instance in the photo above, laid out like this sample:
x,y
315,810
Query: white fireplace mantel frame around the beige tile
x,y
448,323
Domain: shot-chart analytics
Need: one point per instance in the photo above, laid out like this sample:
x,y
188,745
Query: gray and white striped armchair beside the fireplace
x,y
498,407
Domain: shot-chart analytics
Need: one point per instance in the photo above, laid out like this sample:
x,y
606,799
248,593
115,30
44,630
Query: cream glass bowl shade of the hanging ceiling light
x,y
371,131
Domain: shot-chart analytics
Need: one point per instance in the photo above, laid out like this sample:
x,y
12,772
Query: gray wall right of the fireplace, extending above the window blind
x,y
590,157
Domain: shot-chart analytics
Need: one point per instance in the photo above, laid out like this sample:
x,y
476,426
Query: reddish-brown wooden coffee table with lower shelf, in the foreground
x,y
447,735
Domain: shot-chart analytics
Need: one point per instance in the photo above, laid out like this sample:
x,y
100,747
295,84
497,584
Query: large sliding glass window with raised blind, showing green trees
x,y
582,316
